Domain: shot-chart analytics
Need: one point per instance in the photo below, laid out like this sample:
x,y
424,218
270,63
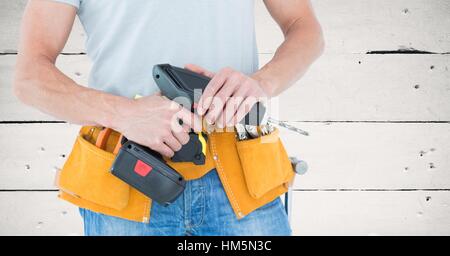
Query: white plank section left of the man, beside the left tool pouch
x,y
31,154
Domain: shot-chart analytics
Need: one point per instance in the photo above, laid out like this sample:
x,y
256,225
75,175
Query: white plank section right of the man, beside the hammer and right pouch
x,y
372,155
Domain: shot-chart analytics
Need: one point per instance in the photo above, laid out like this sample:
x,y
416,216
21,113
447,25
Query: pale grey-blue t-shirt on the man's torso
x,y
125,38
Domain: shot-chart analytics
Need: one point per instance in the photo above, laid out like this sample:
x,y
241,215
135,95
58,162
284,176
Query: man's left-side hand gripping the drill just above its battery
x,y
154,121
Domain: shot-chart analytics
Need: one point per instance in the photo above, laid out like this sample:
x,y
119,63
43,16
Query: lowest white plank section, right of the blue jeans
x,y
371,213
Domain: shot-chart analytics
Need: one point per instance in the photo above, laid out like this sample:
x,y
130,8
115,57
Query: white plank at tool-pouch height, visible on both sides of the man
x,y
340,155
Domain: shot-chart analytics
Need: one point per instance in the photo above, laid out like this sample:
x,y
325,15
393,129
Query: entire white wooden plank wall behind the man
x,y
377,106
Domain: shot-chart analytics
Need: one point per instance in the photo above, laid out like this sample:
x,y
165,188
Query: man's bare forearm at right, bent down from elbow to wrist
x,y
302,45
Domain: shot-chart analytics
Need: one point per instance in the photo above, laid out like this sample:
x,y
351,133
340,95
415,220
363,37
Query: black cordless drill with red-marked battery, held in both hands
x,y
145,169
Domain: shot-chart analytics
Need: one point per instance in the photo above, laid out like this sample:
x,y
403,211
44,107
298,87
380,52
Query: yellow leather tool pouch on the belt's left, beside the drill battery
x,y
86,172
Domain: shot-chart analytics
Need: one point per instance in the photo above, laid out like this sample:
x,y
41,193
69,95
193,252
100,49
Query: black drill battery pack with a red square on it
x,y
146,171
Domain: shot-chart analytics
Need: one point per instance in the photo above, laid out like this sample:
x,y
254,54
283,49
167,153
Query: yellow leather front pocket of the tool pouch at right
x,y
265,163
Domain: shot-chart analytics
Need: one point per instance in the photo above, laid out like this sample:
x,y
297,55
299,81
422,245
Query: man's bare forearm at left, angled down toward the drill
x,y
40,84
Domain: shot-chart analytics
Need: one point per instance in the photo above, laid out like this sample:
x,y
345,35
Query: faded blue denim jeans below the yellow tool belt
x,y
202,209
